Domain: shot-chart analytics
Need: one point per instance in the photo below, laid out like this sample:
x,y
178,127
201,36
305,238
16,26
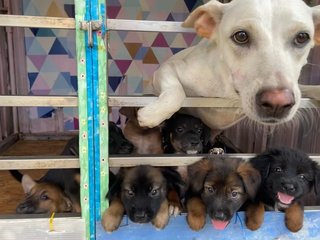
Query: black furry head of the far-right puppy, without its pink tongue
x,y
286,171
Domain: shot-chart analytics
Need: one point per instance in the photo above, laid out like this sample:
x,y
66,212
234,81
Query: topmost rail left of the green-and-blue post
x,y
36,21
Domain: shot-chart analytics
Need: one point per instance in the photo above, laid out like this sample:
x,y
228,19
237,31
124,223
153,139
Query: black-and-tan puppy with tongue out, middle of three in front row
x,y
219,186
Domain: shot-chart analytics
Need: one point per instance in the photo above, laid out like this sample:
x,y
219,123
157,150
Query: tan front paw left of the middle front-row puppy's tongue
x,y
196,216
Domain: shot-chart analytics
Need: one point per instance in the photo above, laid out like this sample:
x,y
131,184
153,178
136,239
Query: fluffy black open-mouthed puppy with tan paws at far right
x,y
287,176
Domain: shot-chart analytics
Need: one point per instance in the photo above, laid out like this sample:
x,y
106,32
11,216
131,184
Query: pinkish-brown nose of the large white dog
x,y
275,102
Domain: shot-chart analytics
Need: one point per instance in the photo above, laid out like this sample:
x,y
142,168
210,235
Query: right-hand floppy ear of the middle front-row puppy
x,y
251,178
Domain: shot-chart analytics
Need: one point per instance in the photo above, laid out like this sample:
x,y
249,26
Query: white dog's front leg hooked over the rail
x,y
171,96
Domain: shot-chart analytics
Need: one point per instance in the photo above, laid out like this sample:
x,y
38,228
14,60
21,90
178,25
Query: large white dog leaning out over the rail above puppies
x,y
252,53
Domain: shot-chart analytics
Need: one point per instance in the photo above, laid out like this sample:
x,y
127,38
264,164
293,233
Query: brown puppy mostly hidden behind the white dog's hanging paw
x,y
145,140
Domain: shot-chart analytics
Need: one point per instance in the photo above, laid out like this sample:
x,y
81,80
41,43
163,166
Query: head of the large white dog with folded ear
x,y
264,45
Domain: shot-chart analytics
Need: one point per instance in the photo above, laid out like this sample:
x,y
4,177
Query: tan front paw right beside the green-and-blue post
x,y
112,217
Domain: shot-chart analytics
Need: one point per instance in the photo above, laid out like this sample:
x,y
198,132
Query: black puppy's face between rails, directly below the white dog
x,y
183,133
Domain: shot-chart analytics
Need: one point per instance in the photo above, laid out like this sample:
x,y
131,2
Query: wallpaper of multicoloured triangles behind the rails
x,y
133,56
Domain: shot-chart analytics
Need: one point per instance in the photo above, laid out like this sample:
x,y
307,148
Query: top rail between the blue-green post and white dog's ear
x,y
142,26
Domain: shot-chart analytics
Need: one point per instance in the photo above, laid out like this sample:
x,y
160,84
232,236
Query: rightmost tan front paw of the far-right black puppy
x,y
294,217
